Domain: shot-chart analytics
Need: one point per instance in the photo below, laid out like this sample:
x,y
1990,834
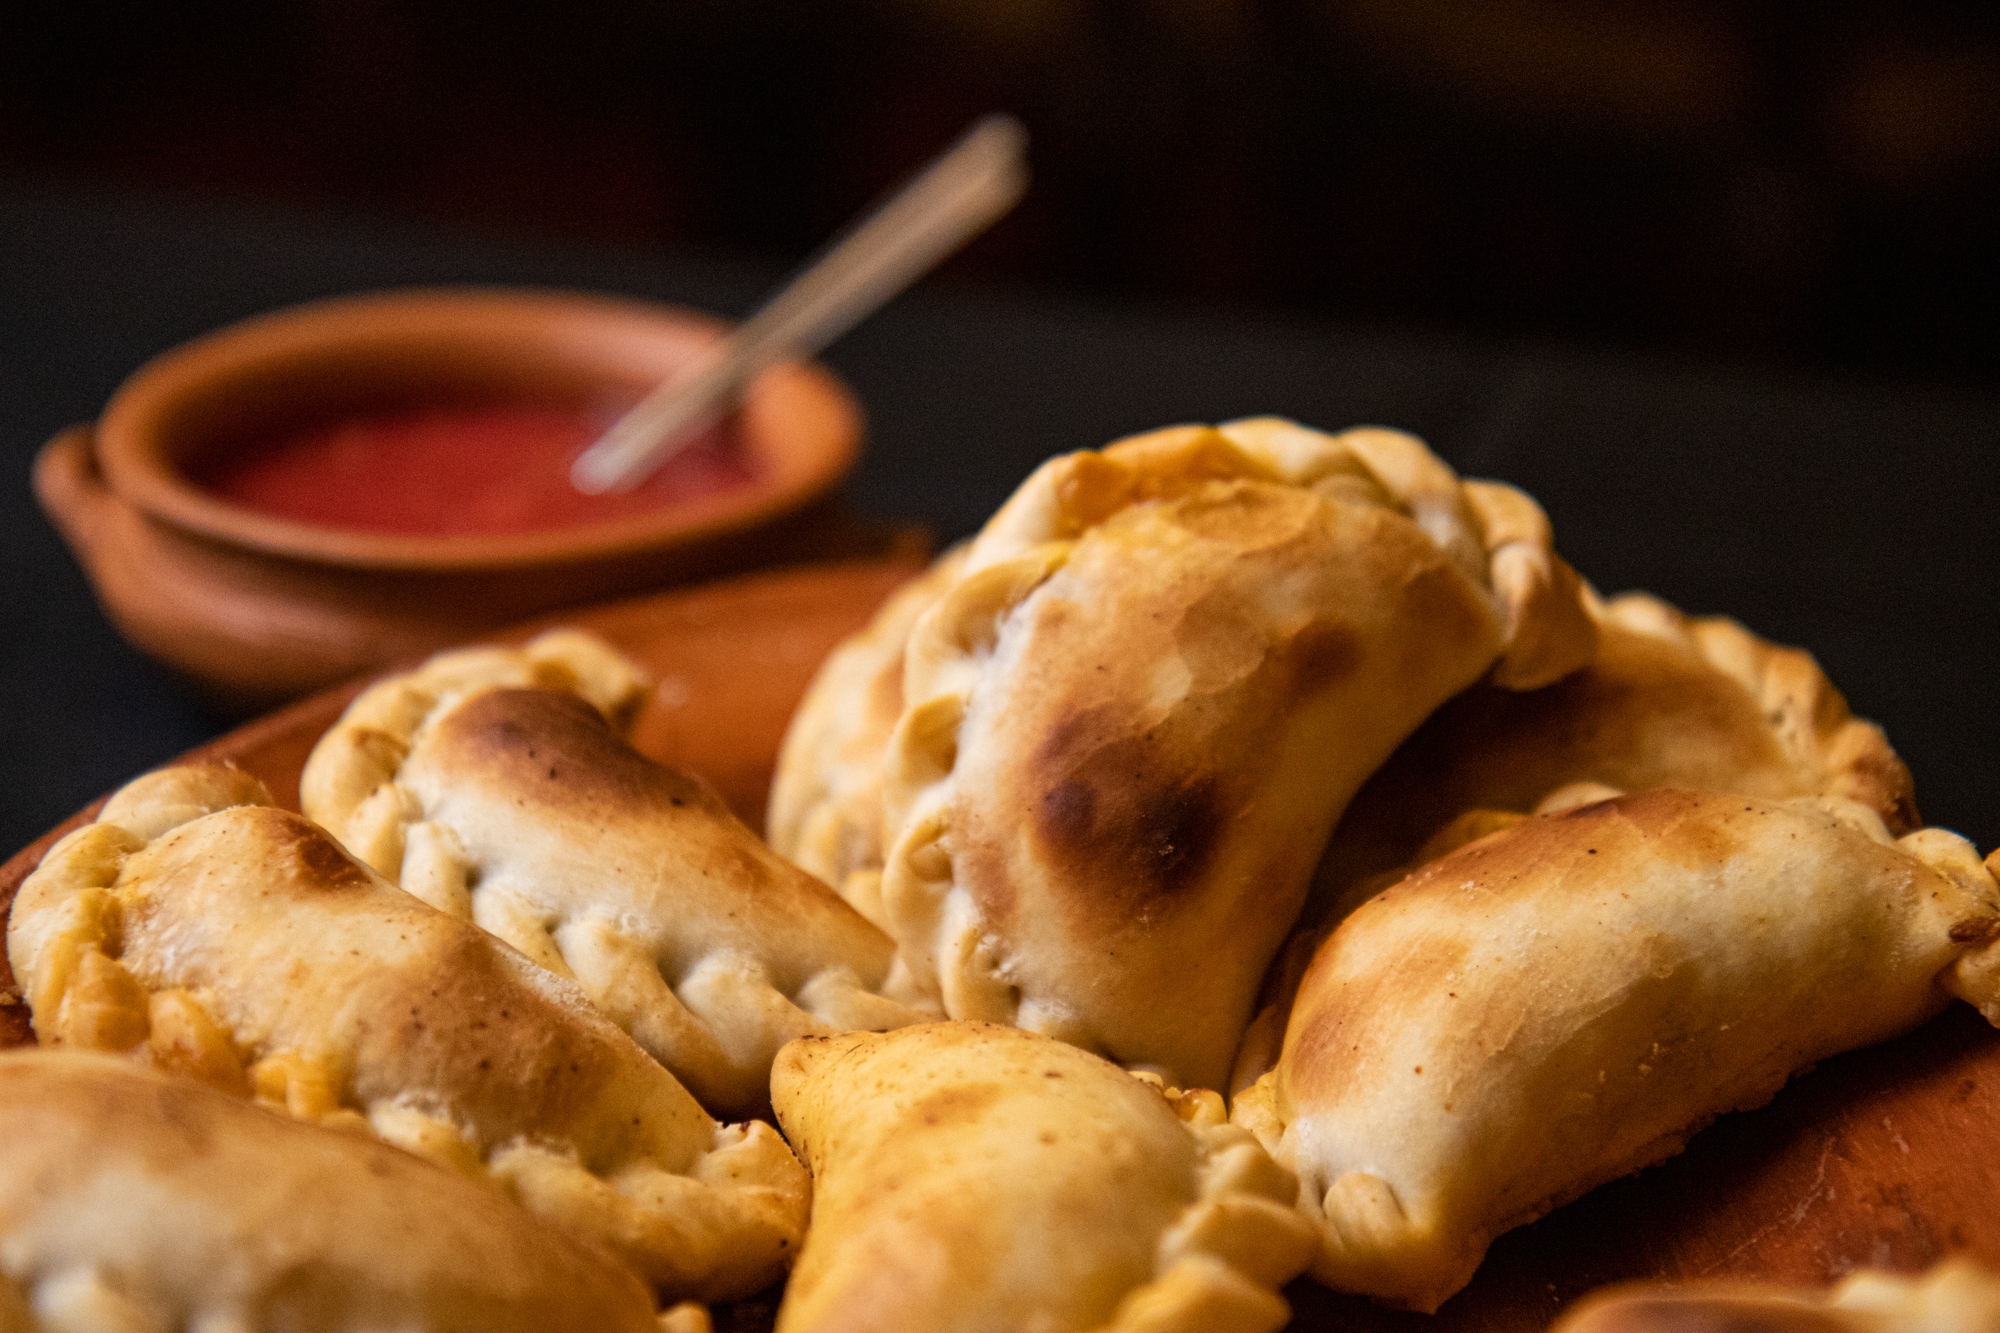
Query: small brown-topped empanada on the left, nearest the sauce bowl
x,y
523,812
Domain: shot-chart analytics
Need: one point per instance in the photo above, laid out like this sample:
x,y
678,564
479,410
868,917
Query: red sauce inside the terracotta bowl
x,y
459,473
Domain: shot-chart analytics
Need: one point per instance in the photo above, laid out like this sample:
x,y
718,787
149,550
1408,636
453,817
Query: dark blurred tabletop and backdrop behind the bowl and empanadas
x,y
1715,281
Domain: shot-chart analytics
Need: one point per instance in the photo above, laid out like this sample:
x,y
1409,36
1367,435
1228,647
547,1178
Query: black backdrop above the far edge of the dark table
x,y
1761,183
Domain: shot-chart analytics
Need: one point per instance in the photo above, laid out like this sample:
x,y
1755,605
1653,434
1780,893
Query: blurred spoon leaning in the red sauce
x,y
945,207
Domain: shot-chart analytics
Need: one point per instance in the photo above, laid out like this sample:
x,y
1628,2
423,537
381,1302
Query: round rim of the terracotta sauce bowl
x,y
799,425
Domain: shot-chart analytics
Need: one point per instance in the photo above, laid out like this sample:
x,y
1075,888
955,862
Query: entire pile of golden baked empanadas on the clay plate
x,y
1253,854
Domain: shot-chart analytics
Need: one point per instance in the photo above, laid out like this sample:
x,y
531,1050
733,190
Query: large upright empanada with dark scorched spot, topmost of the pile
x,y
1167,668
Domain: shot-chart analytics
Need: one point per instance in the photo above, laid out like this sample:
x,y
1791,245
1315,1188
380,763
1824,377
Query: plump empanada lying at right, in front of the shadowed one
x,y
1569,1000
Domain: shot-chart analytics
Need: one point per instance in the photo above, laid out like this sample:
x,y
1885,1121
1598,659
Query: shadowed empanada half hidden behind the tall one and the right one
x,y
1669,702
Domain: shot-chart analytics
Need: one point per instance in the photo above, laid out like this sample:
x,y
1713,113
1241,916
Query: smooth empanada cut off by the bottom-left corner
x,y
135,1200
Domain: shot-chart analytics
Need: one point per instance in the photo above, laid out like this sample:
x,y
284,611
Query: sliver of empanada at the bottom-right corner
x,y
1951,1298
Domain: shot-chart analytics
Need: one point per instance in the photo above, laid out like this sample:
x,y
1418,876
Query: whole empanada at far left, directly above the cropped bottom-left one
x,y
249,950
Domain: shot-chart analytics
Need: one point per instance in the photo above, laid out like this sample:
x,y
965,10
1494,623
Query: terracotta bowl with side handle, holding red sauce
x,y
257,609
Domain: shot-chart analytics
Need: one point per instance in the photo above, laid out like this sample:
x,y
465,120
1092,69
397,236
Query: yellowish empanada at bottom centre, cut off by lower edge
x,y
975,1178
